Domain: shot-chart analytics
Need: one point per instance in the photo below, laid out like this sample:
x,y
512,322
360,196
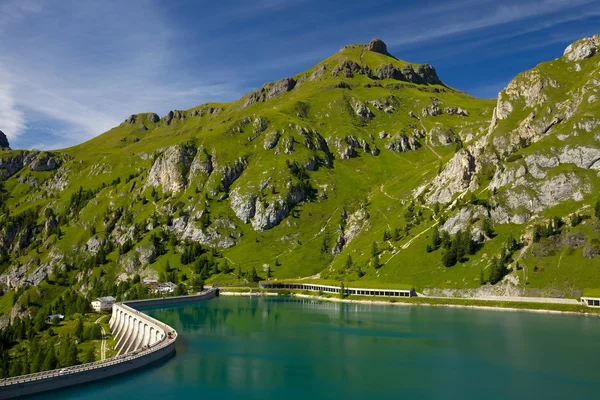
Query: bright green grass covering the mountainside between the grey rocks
x,y
380,186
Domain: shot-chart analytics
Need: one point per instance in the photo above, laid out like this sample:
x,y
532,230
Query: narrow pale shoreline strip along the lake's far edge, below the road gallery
x,y
449,304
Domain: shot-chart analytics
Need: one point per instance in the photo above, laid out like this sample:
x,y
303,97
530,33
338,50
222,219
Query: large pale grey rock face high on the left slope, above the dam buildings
x,y
170,169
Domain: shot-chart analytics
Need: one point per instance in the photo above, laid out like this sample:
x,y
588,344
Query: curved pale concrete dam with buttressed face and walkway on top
x,y
141,341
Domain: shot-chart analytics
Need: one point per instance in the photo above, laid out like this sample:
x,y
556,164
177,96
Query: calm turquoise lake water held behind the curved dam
x,y
252,348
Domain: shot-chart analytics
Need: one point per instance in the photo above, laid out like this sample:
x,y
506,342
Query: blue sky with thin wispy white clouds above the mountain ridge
x,y
72,69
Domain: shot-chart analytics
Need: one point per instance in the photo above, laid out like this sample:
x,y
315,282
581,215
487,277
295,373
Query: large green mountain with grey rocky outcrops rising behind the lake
x,y
362,168
